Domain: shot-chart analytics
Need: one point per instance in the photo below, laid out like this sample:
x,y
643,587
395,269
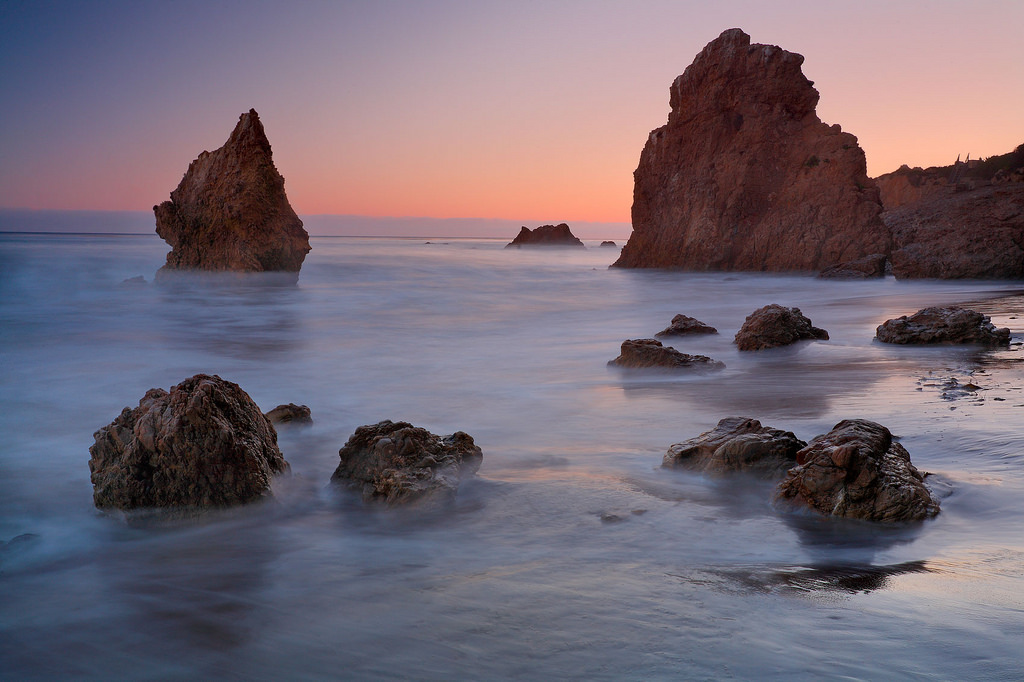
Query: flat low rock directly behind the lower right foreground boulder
x,y
738,444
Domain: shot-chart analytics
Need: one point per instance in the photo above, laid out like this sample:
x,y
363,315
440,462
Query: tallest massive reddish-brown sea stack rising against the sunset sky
x,y
745,177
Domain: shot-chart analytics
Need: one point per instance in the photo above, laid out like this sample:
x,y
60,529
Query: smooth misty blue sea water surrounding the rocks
x,y
572,555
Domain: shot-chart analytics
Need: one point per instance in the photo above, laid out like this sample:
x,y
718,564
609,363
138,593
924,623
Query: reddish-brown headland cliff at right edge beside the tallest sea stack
x,y
960,222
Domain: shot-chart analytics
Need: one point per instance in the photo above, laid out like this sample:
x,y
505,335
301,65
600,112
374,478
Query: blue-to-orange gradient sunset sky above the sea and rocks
x,y
523,111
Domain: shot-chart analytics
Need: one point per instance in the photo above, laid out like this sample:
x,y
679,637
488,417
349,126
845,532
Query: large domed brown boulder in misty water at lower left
x,y
204,444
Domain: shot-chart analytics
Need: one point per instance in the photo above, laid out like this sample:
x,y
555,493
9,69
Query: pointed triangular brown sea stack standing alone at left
x,y
231,211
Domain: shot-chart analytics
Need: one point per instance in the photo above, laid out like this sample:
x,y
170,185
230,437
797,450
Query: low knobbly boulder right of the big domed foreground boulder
x,y
400,463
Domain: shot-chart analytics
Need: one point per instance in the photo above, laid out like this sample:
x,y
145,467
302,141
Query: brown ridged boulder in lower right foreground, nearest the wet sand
x,y
859,472
